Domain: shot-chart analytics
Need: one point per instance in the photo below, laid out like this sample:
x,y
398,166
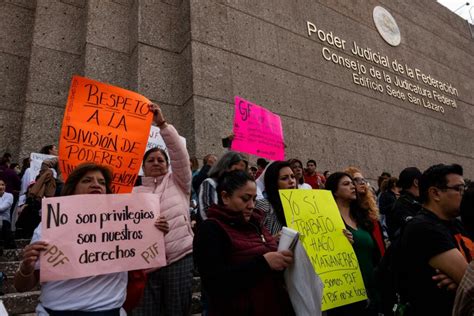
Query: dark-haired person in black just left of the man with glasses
x,y
407,205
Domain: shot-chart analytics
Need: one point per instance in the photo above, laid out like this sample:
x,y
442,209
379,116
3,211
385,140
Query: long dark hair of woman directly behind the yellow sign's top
x,y
272,174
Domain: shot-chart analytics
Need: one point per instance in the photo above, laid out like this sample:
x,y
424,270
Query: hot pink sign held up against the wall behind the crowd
x,y
257,131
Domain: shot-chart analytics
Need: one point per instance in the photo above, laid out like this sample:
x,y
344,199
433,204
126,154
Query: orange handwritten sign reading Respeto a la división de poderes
x,y
106,125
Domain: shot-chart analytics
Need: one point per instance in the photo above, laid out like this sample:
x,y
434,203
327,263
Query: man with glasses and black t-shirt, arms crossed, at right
x,y
434,242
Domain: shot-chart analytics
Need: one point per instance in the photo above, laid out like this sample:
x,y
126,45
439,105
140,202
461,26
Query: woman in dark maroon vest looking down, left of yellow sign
x,y
237,256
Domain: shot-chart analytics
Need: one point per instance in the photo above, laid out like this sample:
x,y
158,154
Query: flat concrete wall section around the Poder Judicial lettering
x,y
261,51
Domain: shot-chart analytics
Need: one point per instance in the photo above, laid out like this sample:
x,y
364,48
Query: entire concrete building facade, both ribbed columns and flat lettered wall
x,y
194,56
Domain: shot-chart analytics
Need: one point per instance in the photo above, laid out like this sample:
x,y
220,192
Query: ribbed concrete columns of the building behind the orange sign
x,y
139,45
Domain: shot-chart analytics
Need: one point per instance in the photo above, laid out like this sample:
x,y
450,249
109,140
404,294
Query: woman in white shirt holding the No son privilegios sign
x,y
100,295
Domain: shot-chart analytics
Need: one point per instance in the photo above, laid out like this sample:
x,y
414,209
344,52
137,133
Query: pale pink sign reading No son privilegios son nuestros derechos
x,y
98,234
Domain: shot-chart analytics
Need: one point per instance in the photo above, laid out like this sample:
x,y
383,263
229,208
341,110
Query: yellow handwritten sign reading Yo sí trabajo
x,y
314,214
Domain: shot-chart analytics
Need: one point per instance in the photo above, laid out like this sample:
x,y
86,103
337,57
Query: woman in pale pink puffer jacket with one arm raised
x,y
168,290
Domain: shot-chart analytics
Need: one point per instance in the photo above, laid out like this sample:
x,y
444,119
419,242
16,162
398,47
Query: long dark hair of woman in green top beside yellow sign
x,y
360,215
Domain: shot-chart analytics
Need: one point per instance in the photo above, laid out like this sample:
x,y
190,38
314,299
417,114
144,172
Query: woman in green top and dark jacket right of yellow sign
x,y
359,222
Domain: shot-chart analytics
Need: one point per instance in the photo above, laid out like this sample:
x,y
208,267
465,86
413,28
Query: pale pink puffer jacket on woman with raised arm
x,y
174,189
